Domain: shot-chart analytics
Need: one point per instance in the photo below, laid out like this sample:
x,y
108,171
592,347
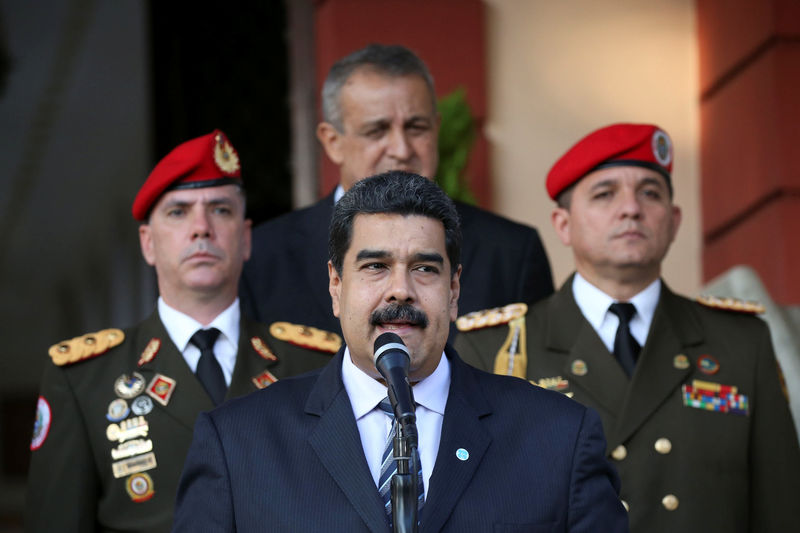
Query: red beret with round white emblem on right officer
x,y
643,145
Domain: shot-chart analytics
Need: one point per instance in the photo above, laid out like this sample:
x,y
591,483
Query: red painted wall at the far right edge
x,y
750,139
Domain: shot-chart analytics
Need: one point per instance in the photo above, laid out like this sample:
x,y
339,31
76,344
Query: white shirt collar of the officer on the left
x,y
181,327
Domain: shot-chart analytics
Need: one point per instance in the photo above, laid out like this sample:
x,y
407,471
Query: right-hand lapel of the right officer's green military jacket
x,y
673,330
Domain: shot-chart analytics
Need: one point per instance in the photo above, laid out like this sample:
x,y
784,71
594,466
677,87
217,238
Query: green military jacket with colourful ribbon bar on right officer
x,y
701,434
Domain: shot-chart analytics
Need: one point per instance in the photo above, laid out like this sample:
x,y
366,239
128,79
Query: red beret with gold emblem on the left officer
x,y
207,161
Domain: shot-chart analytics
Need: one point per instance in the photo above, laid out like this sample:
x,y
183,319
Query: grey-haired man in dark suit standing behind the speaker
x,y
379,108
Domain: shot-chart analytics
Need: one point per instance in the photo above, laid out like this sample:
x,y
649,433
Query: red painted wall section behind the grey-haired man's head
x,y
448,35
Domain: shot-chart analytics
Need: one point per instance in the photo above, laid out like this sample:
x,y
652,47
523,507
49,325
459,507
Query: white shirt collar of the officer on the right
x,y
594,304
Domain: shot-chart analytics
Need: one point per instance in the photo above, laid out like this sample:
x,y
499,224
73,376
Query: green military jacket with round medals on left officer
x,y
114,426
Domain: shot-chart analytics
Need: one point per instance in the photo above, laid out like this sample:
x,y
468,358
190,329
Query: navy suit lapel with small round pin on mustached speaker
x,y
462,428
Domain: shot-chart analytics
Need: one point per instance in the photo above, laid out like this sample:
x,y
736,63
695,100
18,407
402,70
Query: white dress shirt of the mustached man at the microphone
x,y
374,425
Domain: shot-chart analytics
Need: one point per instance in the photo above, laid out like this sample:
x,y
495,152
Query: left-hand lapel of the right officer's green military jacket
x,y
604,380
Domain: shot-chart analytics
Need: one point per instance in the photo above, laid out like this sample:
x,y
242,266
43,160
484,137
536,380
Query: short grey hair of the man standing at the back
x,y
388,60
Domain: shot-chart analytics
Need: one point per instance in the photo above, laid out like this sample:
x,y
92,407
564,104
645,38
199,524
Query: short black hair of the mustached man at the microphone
x,y
394,192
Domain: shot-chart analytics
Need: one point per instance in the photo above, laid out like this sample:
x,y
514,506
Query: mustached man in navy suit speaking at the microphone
x,y
306,454
